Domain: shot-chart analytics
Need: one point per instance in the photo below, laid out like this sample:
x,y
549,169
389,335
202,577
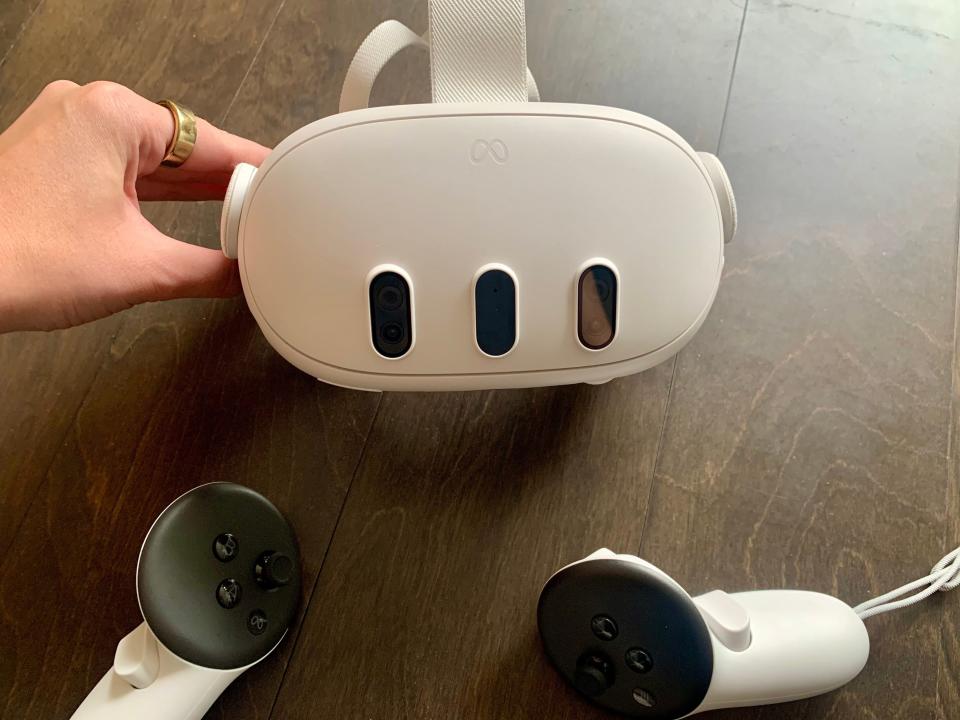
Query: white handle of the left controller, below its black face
x,y
148,682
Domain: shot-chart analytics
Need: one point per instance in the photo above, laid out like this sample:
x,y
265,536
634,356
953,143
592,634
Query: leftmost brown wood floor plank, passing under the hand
x,y
46,376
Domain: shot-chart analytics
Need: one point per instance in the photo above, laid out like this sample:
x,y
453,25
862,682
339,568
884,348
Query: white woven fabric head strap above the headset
x,y
478,53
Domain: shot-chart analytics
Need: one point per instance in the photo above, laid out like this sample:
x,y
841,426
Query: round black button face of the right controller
x,y
626,637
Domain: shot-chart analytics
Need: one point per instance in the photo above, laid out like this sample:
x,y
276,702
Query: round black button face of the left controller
x,y
186,582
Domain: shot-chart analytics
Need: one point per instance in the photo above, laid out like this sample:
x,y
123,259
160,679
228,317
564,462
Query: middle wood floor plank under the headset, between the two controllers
x,y
465,503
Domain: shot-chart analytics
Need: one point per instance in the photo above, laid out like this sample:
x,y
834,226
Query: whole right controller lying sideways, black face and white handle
x,y
631,639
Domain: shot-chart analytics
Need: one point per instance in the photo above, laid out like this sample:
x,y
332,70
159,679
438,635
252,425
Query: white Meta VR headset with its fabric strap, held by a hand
x,y
485,240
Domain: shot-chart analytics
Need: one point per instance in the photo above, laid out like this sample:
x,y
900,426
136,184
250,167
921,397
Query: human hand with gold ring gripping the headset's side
x,y
74,246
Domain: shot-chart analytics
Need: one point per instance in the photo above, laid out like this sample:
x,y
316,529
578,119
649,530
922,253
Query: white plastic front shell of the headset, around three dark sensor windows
x,y
444,190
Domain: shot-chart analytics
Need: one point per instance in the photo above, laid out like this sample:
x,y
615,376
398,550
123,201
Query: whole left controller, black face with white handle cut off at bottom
x,y
218,582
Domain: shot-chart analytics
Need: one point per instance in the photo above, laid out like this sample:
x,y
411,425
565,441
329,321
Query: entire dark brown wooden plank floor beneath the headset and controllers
x,y
807,437
